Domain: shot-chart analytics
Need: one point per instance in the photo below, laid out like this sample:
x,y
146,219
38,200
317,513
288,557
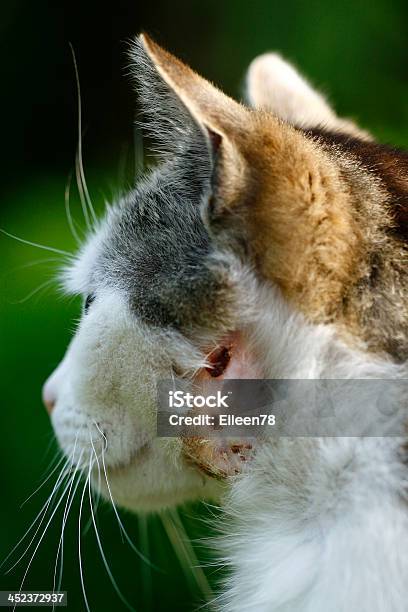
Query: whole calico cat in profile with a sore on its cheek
x,y
269,242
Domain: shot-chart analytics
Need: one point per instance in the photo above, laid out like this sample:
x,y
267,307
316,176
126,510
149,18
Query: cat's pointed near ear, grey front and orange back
x,y
173,95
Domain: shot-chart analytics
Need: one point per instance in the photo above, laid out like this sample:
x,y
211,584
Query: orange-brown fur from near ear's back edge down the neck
x,y
312,214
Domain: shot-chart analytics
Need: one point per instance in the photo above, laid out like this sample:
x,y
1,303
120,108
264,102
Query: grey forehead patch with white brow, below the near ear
x,y
154,248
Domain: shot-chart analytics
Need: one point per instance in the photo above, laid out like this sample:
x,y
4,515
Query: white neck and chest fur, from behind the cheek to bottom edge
x,y
317,524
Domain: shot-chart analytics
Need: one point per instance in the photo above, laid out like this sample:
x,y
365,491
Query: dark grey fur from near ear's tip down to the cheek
x,y
158,249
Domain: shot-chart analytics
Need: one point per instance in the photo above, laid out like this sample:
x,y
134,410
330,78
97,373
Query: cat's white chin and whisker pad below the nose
x,y
146,477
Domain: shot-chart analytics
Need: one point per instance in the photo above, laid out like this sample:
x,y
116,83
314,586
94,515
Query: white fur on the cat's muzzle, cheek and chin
x,y
108,377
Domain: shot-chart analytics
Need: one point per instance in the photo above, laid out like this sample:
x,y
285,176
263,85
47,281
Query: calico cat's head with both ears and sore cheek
x,y
205,269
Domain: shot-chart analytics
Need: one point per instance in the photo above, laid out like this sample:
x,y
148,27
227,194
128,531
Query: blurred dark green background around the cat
x,y
355,51
